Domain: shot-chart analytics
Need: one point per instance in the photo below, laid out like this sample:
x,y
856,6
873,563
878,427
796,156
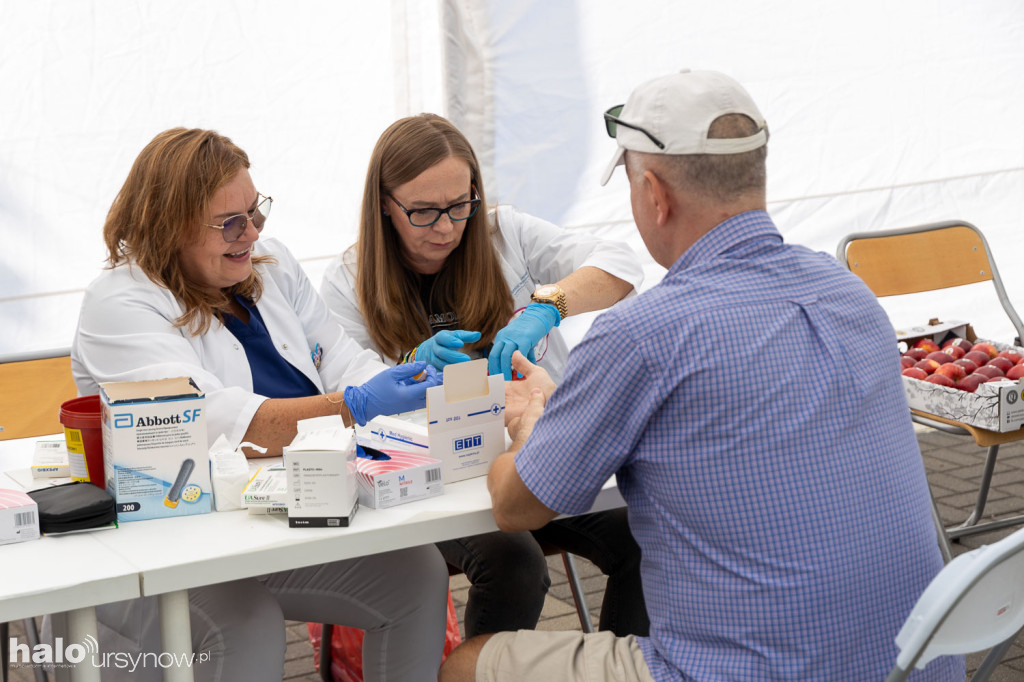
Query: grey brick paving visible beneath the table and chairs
x,y
955,467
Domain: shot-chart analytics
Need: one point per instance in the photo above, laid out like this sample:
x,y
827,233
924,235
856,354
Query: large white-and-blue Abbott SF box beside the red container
x,y
156,457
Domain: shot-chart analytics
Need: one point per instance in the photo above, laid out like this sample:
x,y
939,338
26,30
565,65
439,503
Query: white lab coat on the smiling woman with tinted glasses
x,y
126,332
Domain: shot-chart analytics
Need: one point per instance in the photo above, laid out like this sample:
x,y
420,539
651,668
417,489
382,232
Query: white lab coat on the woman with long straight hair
x,y
533,252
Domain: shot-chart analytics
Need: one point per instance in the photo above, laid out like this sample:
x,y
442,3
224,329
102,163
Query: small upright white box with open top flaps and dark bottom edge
x,y
321,467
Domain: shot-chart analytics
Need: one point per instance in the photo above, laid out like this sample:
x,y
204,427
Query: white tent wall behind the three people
x,y
882,115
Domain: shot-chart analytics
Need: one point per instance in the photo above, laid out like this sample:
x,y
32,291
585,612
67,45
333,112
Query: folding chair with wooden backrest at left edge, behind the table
x,y
32,389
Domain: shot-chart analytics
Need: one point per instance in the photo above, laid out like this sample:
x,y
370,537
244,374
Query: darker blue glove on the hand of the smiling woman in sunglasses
x,y
392,392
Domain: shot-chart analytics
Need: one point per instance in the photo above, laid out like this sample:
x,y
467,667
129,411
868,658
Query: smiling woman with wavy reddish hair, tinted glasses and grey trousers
x,y
193,291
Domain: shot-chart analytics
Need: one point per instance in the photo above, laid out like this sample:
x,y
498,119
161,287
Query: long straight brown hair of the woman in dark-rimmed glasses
x,y
472,282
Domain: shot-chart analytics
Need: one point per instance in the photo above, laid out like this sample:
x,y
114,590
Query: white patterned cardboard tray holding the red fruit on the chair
x,y
997,406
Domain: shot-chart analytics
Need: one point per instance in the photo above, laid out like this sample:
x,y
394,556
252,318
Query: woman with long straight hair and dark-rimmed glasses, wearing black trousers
x,y
437,277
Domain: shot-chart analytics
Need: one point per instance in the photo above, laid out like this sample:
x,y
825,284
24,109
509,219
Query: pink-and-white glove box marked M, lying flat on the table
x,y
400,479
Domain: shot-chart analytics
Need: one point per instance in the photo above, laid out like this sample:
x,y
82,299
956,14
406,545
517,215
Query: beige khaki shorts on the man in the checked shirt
x,y
533,656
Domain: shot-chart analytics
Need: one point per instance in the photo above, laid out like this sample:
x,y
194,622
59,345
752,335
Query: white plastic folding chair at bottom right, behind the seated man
x,y
975,604
